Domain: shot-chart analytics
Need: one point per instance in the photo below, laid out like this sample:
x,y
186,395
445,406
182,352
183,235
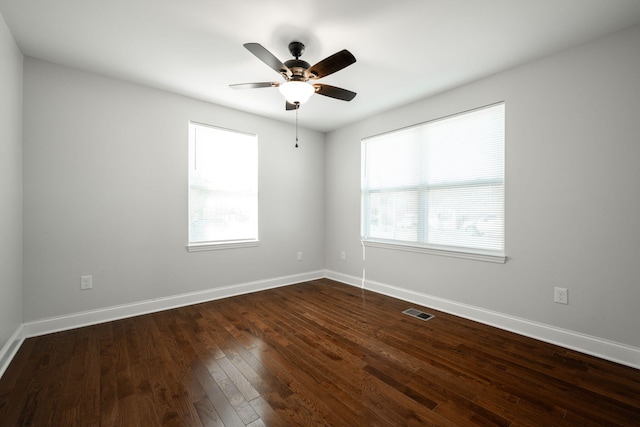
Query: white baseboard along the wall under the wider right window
x,y
604,349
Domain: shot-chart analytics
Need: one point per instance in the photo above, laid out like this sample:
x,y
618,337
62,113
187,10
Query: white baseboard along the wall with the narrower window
x,y
92,317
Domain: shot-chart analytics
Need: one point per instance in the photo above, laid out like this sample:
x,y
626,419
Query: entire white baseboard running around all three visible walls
x,y
608,350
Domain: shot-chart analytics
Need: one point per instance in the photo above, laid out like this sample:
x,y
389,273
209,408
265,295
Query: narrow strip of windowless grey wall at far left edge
x,y
10,186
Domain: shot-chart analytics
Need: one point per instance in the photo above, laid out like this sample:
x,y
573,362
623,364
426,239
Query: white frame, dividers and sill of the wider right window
x,y
421,244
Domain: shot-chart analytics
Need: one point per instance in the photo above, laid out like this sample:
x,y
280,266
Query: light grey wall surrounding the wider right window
x,y
572,195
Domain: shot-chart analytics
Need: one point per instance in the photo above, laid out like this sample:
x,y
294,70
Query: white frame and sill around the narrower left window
x,y
198,246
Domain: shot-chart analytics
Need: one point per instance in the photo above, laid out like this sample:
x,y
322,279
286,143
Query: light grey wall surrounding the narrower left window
x,y
105,194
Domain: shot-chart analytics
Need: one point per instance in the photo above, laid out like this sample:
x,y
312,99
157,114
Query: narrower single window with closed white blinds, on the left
x,y
223,188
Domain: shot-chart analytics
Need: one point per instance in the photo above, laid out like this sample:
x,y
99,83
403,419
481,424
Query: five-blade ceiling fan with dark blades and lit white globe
x,y
298,74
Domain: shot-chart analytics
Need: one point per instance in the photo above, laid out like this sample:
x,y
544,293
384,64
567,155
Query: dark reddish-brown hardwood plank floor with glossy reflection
x,y
313,354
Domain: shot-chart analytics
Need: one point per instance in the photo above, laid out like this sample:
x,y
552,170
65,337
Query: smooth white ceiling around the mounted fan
x,y
405,49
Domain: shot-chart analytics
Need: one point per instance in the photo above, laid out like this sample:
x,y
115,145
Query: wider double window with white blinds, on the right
x,y
438,186
